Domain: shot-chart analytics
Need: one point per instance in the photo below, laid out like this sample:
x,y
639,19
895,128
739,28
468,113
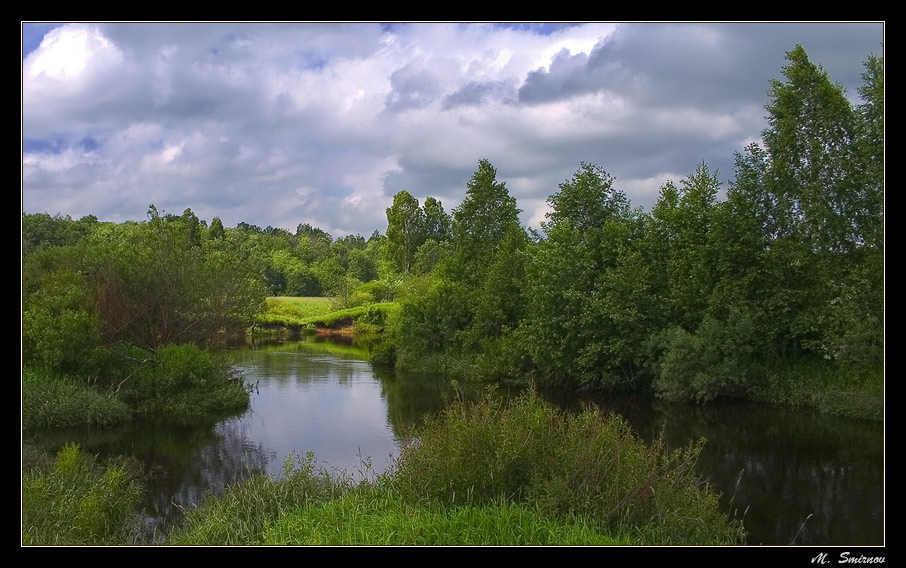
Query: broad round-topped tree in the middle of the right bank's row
x,y
576,329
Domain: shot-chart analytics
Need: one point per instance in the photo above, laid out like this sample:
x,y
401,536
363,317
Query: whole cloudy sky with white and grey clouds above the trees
x,y
280,124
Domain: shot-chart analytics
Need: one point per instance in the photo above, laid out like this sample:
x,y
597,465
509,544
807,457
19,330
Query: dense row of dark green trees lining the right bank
x,y
698,299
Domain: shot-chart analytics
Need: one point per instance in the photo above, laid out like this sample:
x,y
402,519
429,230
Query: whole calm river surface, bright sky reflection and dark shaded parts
x,y
791,475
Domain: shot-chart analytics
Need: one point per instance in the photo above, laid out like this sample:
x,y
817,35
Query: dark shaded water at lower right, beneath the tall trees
x,y
806,478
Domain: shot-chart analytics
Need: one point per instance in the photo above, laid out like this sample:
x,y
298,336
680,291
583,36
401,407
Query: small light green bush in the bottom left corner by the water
x,y
78,503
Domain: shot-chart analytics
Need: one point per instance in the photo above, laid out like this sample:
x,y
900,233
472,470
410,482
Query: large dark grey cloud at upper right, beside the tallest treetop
x,y
702,65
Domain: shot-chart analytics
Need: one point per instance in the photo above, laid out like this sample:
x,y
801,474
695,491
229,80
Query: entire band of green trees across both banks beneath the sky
x,y
698,298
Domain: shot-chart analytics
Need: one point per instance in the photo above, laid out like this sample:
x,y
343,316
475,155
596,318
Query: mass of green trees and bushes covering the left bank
x,y
114,317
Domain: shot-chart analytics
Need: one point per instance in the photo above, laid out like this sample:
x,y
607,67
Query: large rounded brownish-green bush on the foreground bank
x,y
586,465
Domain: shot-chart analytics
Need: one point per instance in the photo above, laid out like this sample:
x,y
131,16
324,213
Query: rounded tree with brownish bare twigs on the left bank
x,y
155,286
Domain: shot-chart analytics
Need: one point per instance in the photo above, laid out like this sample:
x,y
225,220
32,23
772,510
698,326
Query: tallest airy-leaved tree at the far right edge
x,y
803,219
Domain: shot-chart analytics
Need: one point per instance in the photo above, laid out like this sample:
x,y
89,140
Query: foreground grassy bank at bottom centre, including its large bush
x,y
485,473
